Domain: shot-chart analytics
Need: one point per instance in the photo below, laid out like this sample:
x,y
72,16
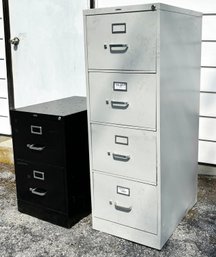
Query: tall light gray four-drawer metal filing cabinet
x,y
143,75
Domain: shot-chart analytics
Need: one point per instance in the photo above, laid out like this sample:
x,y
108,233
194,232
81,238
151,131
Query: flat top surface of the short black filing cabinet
x,y
60,107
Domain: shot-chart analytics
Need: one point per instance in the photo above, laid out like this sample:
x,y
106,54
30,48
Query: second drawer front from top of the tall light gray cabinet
x,y
128,99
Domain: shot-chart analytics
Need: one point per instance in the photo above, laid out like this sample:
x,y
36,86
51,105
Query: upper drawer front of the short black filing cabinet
x,y
38,139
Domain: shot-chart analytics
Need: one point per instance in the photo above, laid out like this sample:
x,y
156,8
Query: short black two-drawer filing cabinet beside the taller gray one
x,y
50,143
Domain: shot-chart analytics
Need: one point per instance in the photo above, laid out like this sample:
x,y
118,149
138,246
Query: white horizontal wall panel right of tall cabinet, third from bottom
x,y
208,104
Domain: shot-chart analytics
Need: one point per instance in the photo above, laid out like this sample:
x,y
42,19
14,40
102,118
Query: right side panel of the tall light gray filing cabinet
x,y
180,51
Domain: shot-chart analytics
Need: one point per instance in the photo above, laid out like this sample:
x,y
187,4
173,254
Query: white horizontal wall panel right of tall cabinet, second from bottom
x,y
207,129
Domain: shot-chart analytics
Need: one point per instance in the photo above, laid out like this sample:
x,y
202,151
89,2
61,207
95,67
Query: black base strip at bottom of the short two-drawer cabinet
x,y
51,216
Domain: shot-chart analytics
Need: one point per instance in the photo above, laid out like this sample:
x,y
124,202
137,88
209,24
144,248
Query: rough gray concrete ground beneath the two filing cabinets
x,y
22,235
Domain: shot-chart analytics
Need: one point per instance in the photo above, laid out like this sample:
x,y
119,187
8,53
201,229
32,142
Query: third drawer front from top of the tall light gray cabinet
x,y
125,152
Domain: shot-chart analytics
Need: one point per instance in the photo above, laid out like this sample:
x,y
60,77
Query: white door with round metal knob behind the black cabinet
x,y
47,49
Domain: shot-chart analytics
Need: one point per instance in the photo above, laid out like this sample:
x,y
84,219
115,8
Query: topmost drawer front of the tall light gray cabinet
x,y
124,41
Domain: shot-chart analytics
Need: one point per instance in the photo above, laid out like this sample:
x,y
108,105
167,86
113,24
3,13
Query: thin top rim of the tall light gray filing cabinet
x,y
140,8
